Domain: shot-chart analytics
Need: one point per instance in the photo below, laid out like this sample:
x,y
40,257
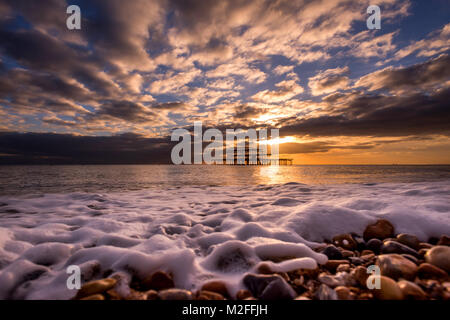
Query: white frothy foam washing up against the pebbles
x,y
196,233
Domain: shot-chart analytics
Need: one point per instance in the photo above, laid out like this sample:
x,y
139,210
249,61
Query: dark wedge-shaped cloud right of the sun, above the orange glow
x,y
377,115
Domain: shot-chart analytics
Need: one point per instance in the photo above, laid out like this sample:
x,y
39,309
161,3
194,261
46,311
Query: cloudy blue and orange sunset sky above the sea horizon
x,y
113,91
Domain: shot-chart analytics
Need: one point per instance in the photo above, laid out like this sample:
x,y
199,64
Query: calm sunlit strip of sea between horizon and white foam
x,y
16,180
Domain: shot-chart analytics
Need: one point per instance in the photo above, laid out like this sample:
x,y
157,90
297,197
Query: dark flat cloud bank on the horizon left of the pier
x,y
61,148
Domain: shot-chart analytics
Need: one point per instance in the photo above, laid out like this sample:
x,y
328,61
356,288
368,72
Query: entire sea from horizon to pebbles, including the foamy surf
x,y
197,222
